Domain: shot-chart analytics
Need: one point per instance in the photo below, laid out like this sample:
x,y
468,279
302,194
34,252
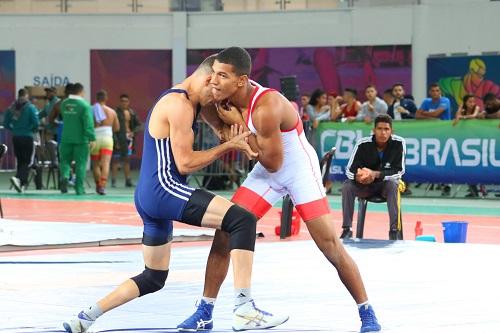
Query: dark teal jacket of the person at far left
x,y
21,119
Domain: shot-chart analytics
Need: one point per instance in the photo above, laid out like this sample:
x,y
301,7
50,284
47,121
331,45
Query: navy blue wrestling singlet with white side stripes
x,y
162,193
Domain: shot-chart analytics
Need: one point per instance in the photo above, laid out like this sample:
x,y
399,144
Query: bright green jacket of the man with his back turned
x,y
78,121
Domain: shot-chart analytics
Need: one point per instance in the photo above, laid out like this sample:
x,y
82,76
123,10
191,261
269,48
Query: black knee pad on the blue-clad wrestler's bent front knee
x,y
241,226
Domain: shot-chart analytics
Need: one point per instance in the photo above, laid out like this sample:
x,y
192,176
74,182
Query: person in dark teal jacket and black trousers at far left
x,y
22,119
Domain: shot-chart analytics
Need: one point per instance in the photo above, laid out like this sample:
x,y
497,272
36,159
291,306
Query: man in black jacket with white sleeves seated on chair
x,y
375,168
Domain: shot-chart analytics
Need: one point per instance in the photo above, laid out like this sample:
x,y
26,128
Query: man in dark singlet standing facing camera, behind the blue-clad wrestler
x,y
124,140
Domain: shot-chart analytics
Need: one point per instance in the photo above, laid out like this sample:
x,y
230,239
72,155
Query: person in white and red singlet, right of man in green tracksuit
x,y
106,122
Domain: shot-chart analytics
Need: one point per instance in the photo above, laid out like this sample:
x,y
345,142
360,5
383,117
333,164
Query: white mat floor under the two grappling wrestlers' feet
x,y
414,287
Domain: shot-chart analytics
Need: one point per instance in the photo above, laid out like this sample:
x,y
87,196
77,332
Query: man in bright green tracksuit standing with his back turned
x,y
78,136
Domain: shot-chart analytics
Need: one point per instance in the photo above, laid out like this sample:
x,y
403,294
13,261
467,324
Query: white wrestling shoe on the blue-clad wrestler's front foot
x,y
249,317
